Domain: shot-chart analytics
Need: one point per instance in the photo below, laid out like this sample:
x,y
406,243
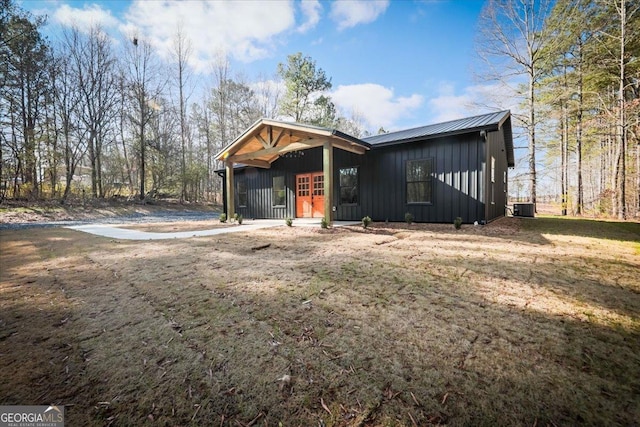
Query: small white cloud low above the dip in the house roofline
x,y
376,103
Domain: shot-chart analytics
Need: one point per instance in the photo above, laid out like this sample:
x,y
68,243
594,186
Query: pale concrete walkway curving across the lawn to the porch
x,y
114,232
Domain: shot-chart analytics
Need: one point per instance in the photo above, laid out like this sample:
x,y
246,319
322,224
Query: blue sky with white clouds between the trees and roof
x,y
397,64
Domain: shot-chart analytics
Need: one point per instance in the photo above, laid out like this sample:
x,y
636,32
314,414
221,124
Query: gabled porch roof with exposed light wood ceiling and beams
x,y
266,140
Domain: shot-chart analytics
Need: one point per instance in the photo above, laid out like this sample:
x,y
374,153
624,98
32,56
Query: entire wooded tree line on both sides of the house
x,y
87,114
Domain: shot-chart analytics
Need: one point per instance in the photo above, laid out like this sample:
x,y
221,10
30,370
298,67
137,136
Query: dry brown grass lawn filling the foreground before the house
x,y
517,323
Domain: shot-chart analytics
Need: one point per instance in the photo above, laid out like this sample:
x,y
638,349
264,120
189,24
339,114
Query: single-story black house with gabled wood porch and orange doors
x,y
438,172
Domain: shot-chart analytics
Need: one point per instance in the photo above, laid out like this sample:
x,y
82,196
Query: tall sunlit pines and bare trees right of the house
x,y
575,66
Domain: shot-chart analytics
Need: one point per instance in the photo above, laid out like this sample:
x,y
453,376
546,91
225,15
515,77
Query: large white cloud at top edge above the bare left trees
x,y
246,30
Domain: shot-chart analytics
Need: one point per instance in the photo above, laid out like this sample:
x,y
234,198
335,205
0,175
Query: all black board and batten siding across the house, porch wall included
x,y
458,182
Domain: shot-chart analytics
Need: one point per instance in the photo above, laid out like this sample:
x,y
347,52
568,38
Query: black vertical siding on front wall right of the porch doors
x,y
456,182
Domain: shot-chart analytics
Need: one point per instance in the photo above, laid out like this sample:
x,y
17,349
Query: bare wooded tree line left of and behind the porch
x,y
86,115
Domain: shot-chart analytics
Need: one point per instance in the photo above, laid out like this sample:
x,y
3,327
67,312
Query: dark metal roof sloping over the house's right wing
x,y
490,122
